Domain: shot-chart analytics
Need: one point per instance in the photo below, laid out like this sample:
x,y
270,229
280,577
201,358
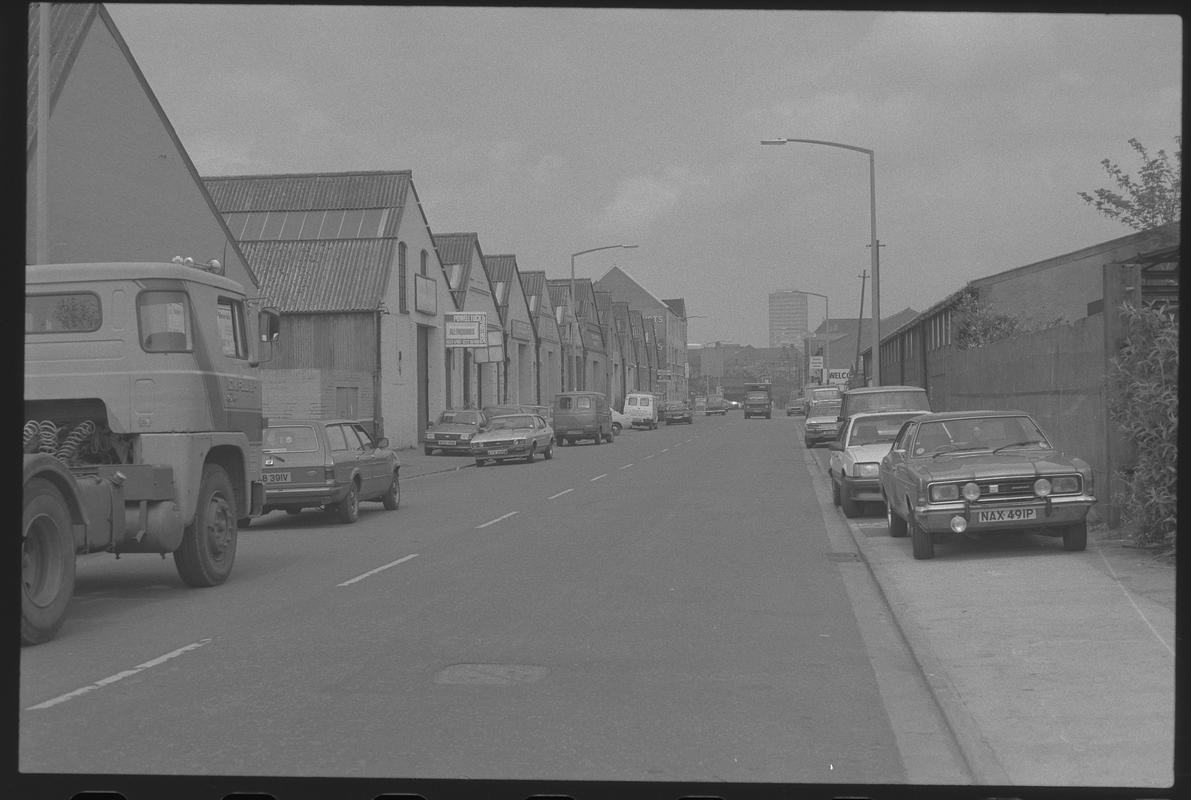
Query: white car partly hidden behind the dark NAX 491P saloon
x,y
857,454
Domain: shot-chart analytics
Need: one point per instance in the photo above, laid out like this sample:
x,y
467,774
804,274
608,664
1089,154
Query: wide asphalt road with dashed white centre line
x,y
677,607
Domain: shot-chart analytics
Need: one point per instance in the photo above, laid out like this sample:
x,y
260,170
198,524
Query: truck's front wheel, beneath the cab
x,y
209,543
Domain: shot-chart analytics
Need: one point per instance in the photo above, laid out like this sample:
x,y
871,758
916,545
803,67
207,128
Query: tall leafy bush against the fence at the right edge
x,y
1145,403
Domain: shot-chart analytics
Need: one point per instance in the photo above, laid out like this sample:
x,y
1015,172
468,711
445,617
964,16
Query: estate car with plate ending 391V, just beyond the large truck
x,y
331,465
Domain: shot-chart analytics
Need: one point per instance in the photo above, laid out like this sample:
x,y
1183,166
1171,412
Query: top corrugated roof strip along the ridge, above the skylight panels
x,y
311,192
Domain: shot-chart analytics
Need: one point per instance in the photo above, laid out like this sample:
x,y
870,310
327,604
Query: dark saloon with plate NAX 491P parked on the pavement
x,y
976,472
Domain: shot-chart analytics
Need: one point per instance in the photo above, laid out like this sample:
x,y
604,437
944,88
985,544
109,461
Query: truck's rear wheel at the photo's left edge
x,y
47,562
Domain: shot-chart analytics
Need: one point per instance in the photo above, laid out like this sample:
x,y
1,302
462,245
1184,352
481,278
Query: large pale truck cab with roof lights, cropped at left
x,y
144,423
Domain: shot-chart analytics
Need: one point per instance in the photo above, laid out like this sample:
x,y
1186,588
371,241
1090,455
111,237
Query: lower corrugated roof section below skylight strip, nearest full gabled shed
x,y
322,276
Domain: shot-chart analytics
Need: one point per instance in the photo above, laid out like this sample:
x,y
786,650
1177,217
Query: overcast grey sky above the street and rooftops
x,y
550,132
